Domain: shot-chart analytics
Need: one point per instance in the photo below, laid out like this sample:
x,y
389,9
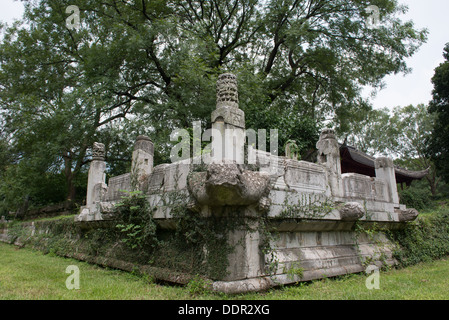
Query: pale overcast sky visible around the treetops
x,y
400,90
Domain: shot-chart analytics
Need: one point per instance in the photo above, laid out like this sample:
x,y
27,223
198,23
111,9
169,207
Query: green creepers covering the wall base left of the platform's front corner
x,y
199,245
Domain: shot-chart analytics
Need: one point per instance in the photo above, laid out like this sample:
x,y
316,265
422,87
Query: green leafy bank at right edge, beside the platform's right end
x,y
423,240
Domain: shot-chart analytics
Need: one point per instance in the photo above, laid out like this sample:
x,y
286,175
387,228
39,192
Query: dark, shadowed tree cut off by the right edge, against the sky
x,y
439,144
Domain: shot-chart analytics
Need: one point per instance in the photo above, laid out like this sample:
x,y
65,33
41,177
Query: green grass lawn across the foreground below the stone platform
x,y
28,274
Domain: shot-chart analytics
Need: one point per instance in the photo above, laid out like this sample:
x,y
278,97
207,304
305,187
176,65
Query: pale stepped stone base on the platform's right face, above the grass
x,y
328,253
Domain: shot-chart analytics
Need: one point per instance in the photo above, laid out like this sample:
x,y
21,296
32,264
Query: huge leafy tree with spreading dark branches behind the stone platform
x,y
155,63
